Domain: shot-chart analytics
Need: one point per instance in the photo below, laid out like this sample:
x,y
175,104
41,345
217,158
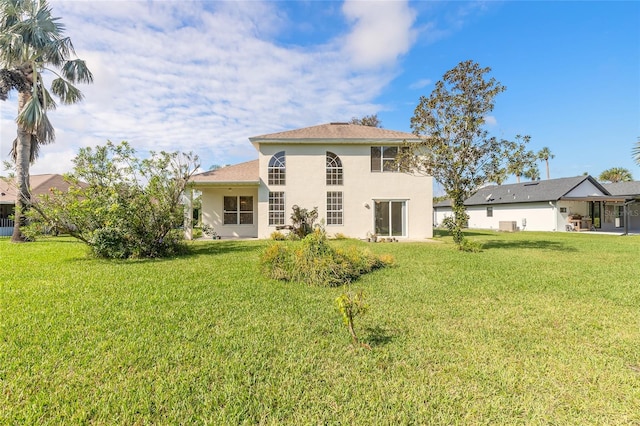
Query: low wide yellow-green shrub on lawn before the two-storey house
x,y
313,261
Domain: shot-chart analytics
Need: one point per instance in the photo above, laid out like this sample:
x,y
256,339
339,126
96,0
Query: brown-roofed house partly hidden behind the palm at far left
x,y
40,184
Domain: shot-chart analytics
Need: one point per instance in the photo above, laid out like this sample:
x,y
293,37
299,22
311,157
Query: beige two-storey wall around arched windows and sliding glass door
x,y
306,187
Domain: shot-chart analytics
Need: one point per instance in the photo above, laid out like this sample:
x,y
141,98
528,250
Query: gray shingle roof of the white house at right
x,y
527,192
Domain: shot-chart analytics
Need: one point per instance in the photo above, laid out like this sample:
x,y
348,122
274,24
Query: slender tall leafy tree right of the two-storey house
x,y
455,147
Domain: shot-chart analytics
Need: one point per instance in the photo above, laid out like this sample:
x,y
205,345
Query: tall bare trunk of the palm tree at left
x,y
23,155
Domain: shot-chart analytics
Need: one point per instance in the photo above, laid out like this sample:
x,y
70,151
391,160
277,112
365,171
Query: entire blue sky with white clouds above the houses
x,y
204,76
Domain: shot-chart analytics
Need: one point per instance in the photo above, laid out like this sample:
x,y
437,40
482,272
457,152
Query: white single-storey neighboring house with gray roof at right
x,y
566,204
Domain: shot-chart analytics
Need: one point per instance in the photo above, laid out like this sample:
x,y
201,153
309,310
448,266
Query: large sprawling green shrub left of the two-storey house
x,y
119,205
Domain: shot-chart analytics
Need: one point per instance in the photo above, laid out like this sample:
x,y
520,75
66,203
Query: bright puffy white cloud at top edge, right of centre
x,y
382,31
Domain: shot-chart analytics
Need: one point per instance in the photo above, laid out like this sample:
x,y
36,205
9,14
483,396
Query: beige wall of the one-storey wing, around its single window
x,y
212,210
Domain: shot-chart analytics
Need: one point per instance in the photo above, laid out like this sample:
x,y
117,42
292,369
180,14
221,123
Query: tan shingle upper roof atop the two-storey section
x,y
335,133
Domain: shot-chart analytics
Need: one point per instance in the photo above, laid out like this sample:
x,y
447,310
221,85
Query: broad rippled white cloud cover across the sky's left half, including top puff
x,y
205,76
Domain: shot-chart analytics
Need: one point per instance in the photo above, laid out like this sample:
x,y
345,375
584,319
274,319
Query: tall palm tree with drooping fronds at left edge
x,y
32,44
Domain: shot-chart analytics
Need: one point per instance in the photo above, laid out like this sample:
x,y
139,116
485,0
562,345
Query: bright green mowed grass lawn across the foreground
x,y
539,328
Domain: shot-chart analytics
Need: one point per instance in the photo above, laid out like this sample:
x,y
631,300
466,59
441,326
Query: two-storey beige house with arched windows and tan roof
x,y
347,171
